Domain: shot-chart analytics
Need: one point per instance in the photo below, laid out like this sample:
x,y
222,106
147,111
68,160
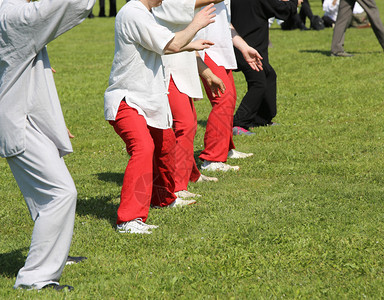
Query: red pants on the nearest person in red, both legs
x,y
148,178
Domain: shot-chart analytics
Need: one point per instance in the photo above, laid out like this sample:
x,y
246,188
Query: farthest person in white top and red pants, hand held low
x,y
220,58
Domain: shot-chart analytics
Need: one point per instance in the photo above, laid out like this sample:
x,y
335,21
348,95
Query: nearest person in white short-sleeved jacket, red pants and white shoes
x,y
137,106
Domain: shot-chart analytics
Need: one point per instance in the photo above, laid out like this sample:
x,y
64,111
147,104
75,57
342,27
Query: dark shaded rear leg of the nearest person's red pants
x,y
163,167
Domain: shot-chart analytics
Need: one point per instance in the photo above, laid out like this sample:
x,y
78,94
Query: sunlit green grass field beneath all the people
x,y
302,219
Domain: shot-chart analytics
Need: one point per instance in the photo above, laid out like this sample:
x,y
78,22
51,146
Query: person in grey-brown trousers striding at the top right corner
x,y
344,18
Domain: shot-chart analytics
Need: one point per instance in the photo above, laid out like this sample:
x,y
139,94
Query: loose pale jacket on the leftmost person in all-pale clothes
x,y
27,88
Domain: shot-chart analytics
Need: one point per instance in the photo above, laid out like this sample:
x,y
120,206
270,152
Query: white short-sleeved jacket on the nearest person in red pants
x,y
137,72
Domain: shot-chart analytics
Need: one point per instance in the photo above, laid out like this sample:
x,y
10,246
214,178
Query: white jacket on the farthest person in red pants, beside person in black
x,y
219,32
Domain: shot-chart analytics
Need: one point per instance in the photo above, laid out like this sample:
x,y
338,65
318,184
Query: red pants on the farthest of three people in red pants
x,y
218,135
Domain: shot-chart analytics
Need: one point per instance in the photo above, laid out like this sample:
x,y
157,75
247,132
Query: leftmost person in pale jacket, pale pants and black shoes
x,y
33,134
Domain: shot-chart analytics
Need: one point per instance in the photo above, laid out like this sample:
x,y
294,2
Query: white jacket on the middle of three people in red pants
x,y
176,15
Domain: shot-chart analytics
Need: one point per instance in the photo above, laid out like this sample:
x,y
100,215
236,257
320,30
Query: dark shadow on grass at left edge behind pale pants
x,y
11,262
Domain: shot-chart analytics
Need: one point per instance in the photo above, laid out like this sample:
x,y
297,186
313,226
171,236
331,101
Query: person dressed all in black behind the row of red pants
x,y
250,18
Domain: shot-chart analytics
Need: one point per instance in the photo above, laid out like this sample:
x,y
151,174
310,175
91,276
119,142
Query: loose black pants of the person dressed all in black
x,y
258,106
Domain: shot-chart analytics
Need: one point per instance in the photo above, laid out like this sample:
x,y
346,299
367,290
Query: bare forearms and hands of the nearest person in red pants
x,y
182,40
